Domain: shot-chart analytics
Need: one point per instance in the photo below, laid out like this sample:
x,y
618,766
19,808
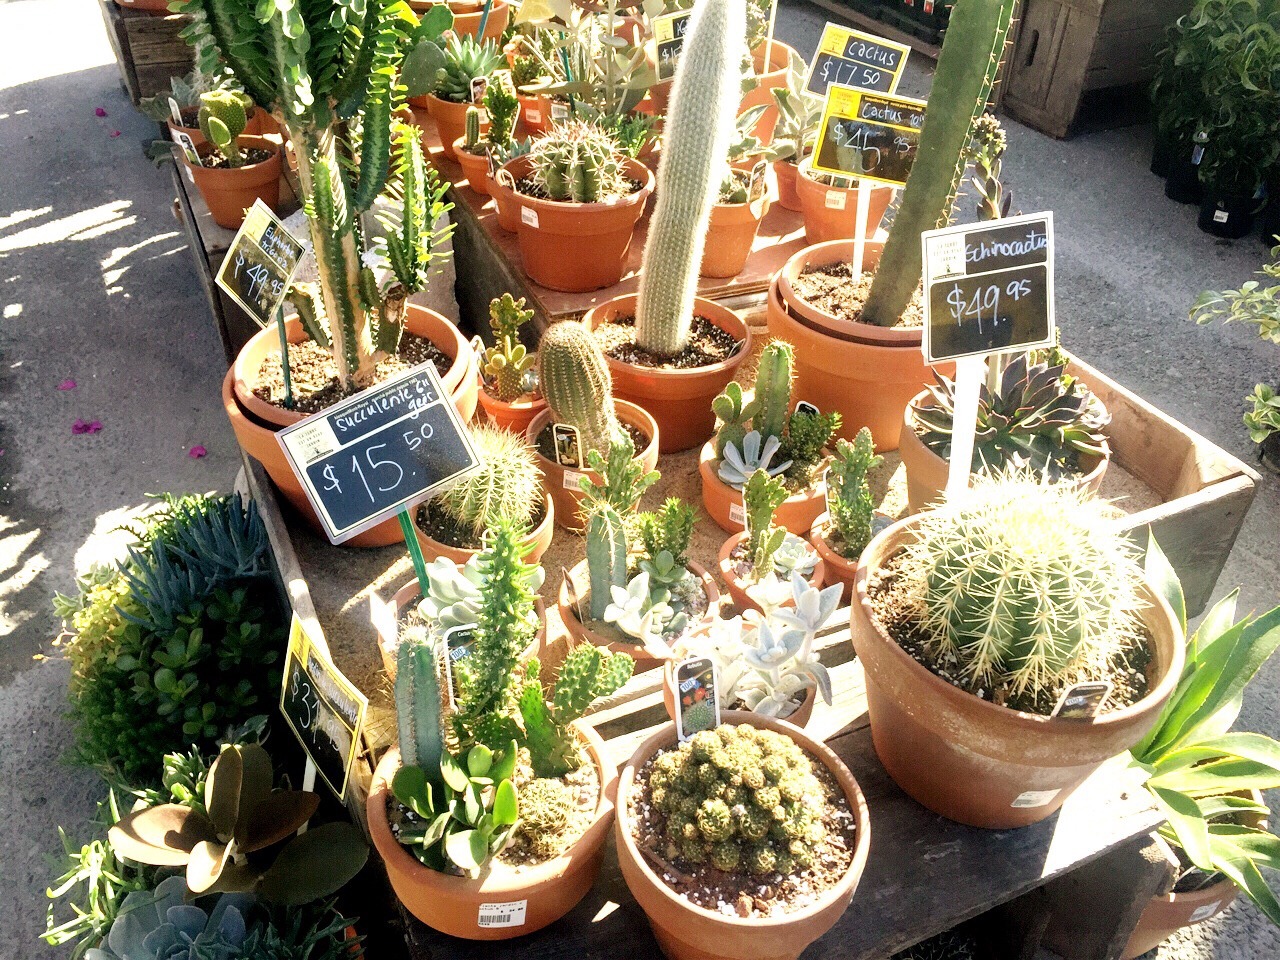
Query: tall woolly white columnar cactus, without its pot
x,y
698,134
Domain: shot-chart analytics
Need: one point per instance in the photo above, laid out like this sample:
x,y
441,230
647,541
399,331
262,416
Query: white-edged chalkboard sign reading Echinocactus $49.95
x,y
989,287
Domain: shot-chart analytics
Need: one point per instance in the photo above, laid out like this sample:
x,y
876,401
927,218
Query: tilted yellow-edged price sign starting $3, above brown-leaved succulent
x,y
323,708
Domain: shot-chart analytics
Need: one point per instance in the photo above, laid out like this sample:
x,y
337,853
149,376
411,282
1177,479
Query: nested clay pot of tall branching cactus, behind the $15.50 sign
x,y
255,422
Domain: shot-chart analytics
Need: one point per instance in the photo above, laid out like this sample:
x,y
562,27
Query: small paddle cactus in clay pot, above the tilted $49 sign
x,y
235,170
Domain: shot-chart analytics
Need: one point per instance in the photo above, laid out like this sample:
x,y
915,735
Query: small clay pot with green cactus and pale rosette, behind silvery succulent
x,y
758,564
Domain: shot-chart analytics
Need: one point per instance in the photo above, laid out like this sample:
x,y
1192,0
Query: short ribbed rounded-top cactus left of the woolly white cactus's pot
x,y
578,386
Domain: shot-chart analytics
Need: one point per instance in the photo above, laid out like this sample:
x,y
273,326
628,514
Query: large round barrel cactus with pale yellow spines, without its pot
x,y
1023,583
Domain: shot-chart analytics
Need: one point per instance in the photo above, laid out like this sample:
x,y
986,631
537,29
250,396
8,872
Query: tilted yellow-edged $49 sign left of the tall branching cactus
x,y
260,264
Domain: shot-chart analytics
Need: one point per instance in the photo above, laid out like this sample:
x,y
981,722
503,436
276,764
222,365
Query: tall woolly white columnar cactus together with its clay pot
x,y
670,351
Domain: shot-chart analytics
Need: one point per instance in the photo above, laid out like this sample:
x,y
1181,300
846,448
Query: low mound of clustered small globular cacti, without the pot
x,y
740,799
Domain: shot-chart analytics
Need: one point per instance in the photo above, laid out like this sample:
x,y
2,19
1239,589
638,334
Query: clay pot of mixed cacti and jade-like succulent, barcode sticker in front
x,y
495,794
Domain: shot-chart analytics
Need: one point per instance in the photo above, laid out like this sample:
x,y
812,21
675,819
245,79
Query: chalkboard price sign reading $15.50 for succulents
x,y
376,454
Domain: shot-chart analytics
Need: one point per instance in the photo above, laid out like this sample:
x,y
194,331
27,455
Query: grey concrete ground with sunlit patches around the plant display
x,y
97,286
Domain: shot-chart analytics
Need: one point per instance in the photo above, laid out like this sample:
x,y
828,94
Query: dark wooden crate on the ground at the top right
x,y
1066,49
